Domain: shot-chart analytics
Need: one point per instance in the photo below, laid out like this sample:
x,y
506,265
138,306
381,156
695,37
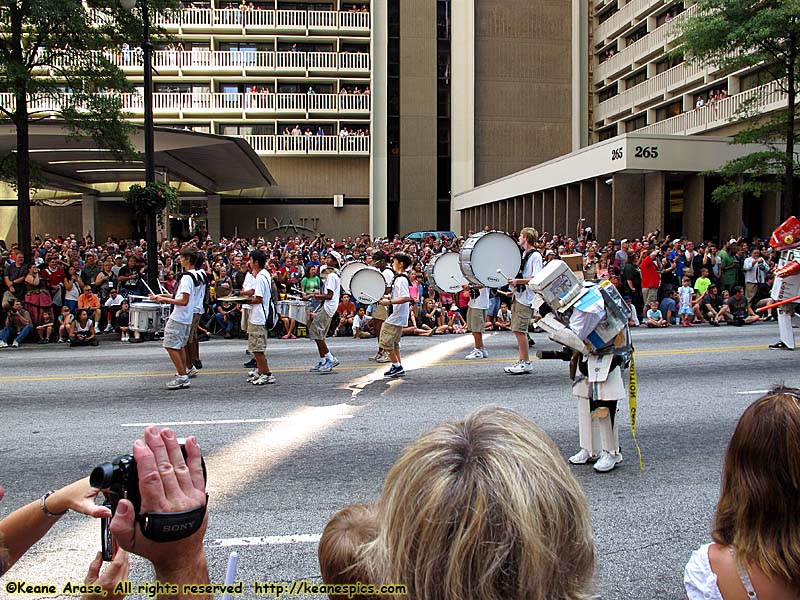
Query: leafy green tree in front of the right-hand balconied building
x,y
736,34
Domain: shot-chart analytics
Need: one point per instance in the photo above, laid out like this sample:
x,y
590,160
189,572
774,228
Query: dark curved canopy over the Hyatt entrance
x,y
212,163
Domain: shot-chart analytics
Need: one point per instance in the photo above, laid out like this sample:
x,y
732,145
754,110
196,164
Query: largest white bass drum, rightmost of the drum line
x,y
486,253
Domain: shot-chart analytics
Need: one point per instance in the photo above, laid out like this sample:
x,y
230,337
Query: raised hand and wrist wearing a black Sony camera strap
x,y
167,484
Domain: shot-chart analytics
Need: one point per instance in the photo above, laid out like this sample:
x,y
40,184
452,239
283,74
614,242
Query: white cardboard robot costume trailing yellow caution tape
x,y
591,321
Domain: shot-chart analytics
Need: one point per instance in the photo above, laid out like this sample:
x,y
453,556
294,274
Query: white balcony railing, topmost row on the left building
x,y
273,20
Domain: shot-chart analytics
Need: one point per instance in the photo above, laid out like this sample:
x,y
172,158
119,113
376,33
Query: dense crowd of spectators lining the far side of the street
x,y
76,289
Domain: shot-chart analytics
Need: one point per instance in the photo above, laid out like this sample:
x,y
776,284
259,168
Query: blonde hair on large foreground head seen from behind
x,y
485,508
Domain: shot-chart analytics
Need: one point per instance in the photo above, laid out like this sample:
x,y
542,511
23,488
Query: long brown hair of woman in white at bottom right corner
x,y
757,513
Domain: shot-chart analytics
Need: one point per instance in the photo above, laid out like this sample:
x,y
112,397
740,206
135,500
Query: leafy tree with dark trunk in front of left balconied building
x,y
48,47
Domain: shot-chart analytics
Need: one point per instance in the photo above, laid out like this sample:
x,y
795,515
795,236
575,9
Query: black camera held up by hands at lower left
x,y
118,480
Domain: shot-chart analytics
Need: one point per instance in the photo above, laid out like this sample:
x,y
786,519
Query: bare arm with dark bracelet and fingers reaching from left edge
x,y
20,530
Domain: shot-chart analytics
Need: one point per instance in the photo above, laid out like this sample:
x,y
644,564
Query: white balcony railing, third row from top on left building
x,y
179,103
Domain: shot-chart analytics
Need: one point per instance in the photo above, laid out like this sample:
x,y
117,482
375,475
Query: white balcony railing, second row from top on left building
x,y
241,61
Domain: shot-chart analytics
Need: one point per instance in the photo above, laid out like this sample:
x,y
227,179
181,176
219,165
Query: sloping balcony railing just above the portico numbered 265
x,y
720,113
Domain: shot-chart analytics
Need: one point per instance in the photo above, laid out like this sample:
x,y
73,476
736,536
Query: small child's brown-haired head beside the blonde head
x,y
341,545
